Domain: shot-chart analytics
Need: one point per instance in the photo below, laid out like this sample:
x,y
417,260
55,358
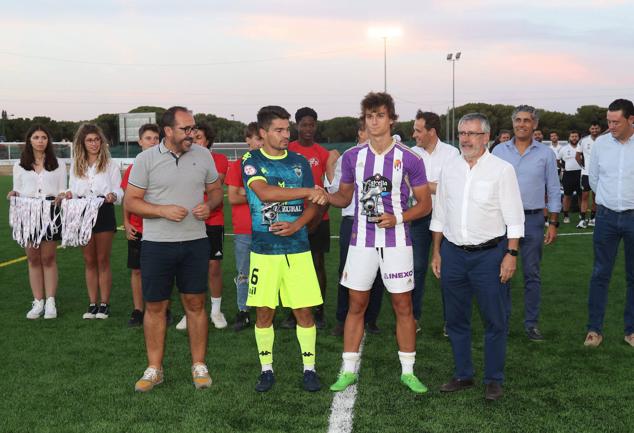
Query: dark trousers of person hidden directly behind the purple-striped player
x,y
376,293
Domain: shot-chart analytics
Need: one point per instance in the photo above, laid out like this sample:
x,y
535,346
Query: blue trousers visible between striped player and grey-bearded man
x,y
421,243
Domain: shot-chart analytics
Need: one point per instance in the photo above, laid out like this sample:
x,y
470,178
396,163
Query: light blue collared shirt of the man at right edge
x,y
611,172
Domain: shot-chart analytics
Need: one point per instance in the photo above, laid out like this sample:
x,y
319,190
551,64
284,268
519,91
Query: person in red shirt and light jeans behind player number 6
x,y
241,219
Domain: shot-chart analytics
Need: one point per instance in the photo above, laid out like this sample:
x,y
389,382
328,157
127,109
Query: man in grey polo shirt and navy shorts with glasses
x,y
166,188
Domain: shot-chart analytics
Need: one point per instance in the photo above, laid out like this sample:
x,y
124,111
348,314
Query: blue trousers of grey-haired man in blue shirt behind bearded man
x,y
531,250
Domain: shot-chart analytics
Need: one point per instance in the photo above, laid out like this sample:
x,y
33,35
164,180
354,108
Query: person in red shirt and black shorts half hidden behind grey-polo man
x,y
215,226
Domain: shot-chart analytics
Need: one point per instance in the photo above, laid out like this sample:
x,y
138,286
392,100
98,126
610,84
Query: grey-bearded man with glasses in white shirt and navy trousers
x,y
478,206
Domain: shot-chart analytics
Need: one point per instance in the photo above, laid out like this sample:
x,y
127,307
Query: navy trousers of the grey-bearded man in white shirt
x,y
463,275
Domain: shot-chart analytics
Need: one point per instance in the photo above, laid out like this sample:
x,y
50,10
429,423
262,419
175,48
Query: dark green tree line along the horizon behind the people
x,y
335,130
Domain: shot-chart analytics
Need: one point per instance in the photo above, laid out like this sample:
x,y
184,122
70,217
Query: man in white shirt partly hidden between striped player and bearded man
x,y
434,153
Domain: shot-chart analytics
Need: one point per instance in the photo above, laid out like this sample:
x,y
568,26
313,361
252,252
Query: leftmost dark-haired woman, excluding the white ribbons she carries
x,y
38,174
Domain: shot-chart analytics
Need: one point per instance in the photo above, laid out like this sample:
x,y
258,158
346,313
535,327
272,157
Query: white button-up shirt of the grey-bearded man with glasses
x,y
479,203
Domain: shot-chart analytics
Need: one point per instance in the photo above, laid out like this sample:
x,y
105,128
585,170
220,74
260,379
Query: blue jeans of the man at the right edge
x,y
610,227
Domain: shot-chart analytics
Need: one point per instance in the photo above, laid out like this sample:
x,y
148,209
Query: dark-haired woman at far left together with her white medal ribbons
x,y
41,178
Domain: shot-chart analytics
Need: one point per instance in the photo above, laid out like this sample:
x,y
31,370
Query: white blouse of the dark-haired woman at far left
x,y
28,183
